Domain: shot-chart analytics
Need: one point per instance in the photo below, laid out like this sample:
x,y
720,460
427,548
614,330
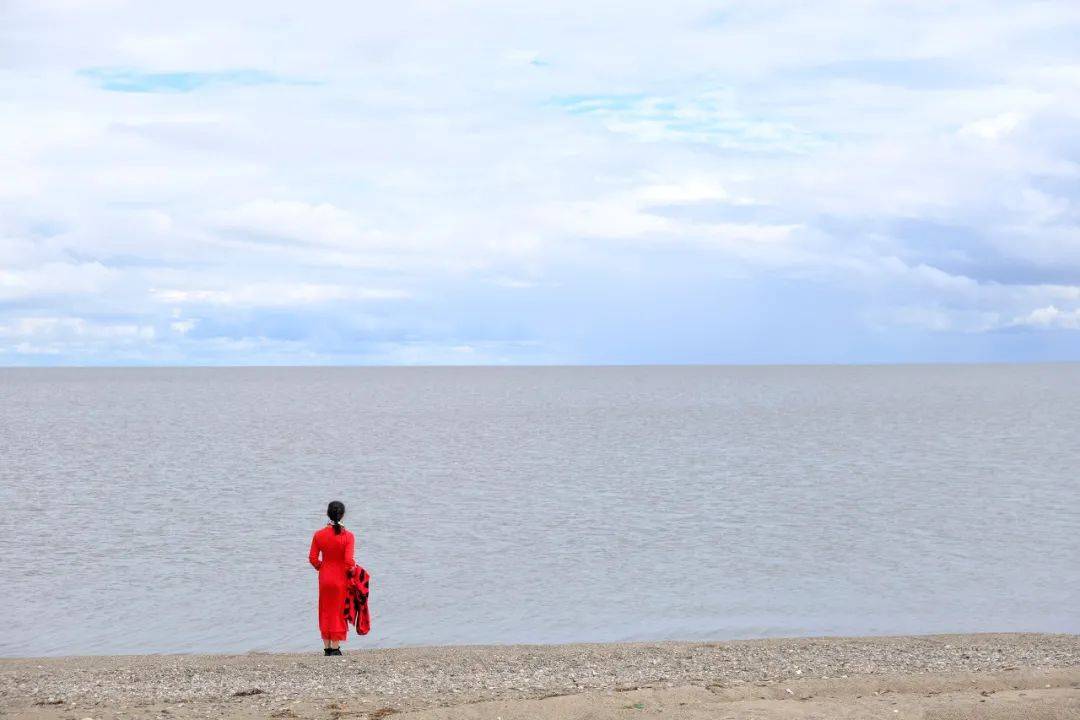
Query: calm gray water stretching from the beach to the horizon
x,y
171,510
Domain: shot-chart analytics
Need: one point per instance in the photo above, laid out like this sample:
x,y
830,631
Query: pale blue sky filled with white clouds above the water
x,y
546,183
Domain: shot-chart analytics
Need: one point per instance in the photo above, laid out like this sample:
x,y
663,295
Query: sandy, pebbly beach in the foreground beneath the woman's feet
x,y
944,676
